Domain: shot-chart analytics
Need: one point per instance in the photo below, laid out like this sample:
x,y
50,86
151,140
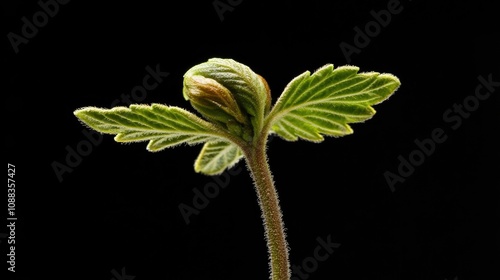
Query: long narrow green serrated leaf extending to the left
x,y
163,126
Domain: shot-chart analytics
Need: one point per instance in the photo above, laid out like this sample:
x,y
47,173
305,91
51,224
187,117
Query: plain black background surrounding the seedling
x,y
118,208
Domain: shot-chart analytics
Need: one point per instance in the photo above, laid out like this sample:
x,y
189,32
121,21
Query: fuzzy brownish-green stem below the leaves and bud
x,y
256,159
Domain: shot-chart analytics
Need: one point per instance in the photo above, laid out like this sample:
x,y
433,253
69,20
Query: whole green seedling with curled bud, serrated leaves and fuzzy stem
x,y
238,117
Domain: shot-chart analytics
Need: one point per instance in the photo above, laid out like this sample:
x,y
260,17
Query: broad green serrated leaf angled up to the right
x,y
325,102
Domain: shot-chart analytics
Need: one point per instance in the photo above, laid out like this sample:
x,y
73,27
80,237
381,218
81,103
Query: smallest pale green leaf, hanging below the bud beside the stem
x,y
215,157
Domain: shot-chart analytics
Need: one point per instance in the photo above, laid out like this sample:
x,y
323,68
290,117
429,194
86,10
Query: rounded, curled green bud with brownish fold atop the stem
x,y
229,93
